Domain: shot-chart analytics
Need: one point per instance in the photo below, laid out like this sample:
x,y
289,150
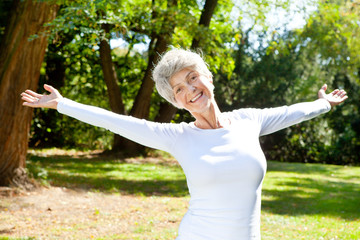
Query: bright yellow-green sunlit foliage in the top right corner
x,y
334,32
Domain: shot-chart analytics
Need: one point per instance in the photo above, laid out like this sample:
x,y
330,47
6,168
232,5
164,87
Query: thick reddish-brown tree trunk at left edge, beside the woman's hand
x,y
20,63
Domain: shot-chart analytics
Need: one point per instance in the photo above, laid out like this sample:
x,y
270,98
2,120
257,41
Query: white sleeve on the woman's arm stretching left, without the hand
x,y
155,135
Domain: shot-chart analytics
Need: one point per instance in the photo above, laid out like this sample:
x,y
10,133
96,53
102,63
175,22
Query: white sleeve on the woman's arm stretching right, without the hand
x,y
274,119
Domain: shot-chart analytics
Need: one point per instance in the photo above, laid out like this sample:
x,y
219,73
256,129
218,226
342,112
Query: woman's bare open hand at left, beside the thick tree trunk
x,y
35,100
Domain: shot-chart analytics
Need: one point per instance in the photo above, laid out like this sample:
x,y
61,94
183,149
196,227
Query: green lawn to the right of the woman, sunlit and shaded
x,y
308,201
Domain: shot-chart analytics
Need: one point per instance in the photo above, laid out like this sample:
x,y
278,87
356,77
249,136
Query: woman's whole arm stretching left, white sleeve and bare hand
x,y
151,134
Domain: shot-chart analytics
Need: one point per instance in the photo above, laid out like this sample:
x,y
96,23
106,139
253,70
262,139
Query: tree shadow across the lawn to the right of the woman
x,y
318,195
